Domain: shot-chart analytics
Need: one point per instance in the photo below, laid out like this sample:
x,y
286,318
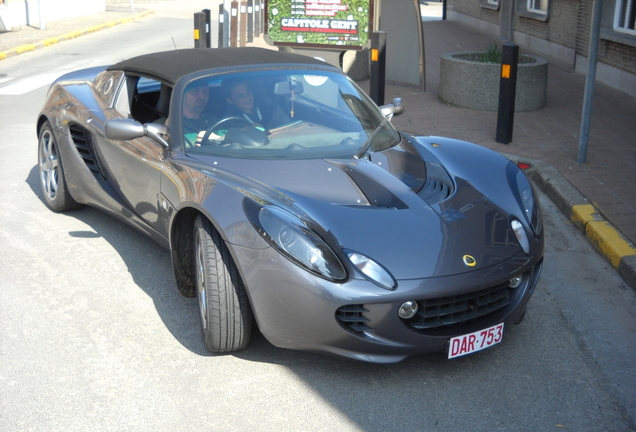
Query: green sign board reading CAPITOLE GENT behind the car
x,y
320,23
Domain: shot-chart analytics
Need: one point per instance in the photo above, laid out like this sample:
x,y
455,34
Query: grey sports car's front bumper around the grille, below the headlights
x,y
357,319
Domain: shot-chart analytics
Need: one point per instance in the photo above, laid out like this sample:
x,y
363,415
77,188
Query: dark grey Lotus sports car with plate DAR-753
x,y
286,197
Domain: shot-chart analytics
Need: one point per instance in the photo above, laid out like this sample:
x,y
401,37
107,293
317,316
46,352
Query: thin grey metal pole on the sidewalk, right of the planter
x,y
590,79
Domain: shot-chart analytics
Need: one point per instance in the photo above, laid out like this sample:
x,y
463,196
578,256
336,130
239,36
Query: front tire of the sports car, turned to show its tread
x,y
225,314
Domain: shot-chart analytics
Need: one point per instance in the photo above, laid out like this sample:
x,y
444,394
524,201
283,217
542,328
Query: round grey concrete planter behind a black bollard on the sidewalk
x,y
475,85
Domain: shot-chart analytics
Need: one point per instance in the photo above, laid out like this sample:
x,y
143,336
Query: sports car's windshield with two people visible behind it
x,y
282,114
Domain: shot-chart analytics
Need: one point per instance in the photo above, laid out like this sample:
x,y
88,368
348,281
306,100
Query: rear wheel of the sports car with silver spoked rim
x,y
51,172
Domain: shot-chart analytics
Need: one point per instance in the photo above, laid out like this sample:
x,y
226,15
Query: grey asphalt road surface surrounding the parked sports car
x,y
94,335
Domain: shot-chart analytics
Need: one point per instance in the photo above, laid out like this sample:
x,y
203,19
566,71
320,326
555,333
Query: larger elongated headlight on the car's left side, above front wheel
x,y
298,243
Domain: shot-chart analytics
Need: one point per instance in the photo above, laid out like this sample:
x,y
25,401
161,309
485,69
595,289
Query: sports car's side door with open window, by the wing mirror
x,y
134,167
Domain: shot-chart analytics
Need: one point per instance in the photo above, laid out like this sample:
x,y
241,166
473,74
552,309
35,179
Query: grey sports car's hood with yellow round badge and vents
x,y
382,207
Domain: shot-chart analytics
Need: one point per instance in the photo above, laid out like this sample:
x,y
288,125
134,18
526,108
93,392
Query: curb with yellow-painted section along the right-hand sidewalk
x,y
606,239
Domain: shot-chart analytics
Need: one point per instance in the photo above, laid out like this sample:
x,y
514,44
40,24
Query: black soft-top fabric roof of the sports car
x,y
169,66
